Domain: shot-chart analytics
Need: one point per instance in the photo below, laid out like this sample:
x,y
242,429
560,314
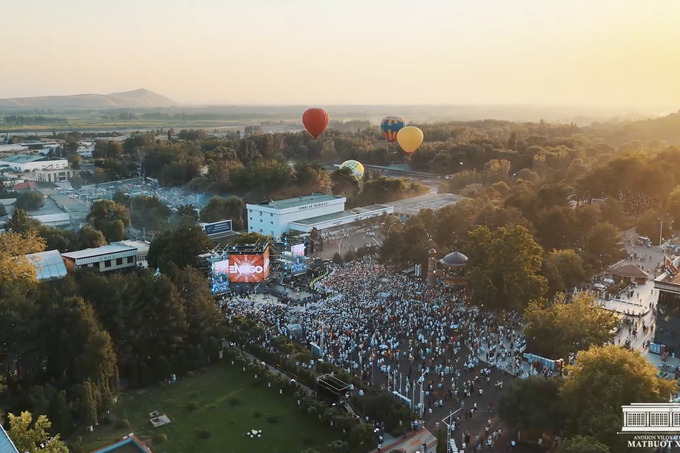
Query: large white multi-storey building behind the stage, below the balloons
x,y
273,218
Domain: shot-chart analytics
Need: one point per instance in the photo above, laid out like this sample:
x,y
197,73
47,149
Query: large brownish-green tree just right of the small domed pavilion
x,y
504,266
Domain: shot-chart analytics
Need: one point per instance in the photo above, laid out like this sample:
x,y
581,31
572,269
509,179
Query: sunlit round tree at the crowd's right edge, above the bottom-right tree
x,y
563,327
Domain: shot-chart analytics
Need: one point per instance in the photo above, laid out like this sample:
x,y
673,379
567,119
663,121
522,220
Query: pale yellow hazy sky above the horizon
x,y
322,52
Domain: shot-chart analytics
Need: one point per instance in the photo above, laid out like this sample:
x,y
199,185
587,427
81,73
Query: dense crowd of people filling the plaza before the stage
x,y
394,332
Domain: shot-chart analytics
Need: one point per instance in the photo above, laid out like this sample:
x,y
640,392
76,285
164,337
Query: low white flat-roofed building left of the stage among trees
x,y
110,257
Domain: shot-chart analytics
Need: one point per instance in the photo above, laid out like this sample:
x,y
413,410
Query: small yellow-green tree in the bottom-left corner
x,y
35,438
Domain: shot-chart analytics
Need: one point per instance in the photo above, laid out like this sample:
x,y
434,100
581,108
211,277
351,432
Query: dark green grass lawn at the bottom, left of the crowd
x,y
228,406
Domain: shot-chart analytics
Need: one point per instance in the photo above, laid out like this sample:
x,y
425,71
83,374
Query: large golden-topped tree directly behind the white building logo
x,y
603,379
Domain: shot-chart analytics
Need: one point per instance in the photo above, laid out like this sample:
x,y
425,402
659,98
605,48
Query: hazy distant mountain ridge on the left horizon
x,y
129,99
